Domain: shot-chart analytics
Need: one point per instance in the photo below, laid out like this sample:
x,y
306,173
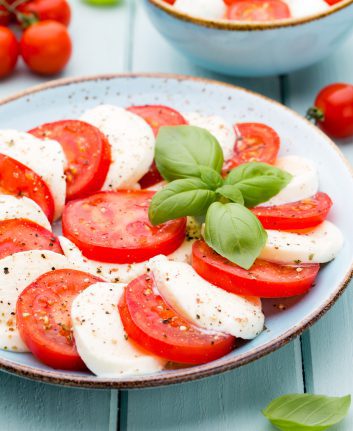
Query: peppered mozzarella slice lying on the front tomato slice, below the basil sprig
x,y
204,304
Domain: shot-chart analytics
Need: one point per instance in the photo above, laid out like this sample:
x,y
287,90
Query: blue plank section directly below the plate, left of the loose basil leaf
x,y
232,401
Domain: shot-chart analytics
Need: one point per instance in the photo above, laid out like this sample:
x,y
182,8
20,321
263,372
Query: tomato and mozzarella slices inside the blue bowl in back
x,y
251,10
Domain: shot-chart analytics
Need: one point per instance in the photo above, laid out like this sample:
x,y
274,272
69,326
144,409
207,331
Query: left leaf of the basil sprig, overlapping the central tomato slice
x,y
180,198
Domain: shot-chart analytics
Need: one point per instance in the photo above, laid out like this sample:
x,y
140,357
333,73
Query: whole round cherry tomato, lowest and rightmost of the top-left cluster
x,y
46,47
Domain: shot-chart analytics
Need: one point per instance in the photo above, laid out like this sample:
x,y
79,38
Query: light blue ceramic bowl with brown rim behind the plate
x,y
251,49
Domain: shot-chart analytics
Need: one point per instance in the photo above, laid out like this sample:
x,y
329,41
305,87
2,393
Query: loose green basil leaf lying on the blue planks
x,y
302,412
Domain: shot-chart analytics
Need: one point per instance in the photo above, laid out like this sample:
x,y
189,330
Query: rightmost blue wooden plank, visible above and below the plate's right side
x,y
328,346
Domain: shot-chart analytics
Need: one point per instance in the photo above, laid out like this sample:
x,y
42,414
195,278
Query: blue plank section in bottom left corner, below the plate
x,y
25,405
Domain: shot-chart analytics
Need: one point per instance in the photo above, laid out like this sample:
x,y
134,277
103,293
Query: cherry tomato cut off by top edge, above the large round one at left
x,y
55,10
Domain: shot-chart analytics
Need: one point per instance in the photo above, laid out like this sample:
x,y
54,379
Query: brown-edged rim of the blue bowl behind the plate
x,y
220,24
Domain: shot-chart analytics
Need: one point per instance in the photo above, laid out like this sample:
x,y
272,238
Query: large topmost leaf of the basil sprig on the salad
x,y
181,150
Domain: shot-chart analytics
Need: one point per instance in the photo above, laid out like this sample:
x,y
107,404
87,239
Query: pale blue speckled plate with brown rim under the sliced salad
x,y
285,319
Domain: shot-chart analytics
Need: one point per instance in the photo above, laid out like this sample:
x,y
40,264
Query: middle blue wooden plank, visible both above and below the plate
x,y
233,400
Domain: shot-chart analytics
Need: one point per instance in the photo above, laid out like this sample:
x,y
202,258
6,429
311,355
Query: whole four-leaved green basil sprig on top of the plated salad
x,y
192,160
